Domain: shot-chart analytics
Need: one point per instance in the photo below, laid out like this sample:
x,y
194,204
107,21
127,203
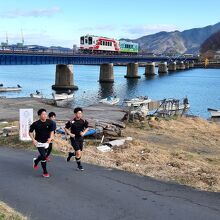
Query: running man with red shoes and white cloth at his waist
x,y
43,136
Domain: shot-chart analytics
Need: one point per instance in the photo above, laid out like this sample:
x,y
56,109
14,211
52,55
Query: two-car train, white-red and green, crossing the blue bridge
x,y
97,44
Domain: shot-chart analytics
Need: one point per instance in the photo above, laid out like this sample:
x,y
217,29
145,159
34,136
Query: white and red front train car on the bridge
x,y
91,43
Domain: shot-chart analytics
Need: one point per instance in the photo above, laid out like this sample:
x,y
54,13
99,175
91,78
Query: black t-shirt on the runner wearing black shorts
x,y
77,126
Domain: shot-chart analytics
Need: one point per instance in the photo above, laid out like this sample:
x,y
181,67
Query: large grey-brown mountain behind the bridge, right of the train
x,y
188,41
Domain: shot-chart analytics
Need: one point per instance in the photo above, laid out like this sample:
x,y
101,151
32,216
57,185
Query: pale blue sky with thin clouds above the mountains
x,y
62,22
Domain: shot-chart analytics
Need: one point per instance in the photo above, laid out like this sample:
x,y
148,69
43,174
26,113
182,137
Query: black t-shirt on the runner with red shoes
x,y
42,130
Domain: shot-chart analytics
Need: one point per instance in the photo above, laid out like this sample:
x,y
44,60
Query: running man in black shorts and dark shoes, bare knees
x,y
76,128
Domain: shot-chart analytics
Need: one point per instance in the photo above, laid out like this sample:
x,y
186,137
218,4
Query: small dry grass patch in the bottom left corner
x,y
7,213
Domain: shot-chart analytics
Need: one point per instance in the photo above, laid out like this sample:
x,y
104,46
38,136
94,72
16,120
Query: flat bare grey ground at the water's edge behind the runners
x,y
9,110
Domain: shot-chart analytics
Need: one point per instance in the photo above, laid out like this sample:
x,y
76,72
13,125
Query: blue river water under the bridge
x,y
201,86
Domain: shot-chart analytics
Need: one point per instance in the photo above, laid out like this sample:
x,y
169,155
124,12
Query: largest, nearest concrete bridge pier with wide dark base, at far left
x,y
64,78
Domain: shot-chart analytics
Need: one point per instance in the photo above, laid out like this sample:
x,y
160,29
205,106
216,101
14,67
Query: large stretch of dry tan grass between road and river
x,y
184,150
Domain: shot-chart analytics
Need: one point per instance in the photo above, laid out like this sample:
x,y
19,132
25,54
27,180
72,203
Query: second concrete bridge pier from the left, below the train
x,y
106,73
